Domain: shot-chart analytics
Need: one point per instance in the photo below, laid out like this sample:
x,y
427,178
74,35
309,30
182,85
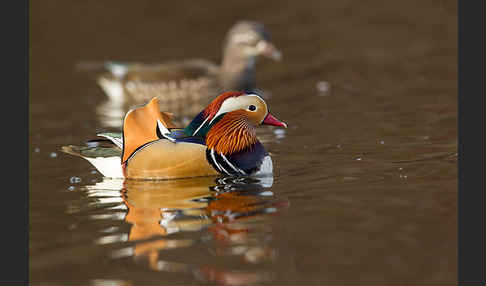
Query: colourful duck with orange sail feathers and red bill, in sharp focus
x,y
221,139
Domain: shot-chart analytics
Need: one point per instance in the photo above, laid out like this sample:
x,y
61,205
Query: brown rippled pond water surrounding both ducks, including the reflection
x,y
365,185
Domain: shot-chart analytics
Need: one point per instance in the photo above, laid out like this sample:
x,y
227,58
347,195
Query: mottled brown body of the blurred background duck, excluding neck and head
x,y
190,81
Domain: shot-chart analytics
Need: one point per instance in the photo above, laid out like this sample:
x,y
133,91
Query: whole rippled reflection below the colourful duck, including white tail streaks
x,y
221,217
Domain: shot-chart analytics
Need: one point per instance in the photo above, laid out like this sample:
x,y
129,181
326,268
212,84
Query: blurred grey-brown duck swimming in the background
x,y
179,84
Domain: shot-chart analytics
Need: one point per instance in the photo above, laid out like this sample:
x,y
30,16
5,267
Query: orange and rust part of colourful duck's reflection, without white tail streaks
x,y
227,212
